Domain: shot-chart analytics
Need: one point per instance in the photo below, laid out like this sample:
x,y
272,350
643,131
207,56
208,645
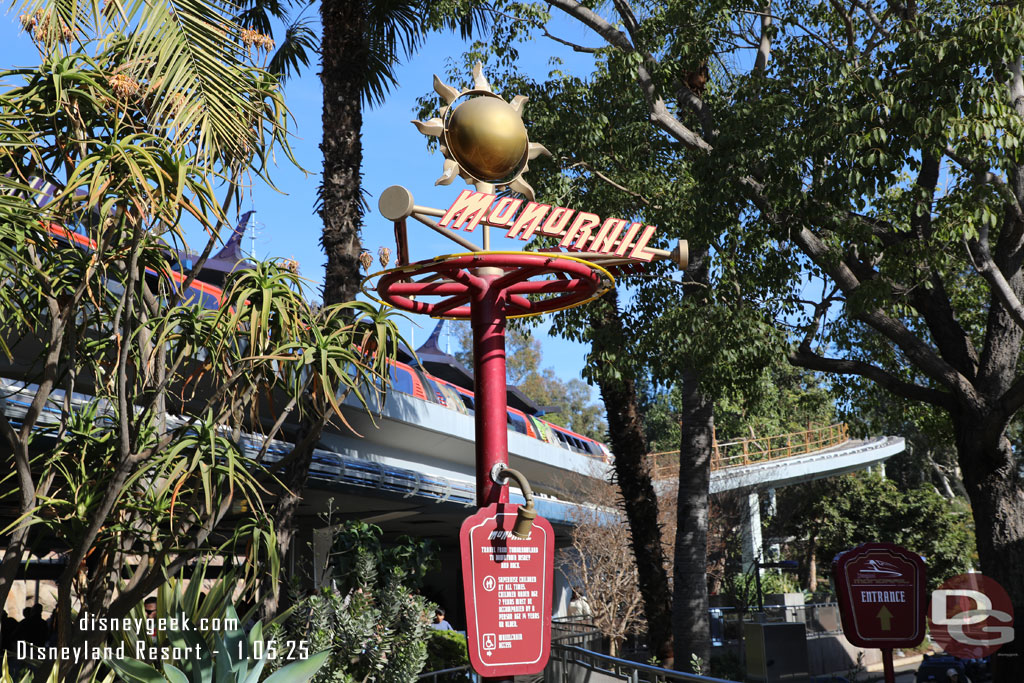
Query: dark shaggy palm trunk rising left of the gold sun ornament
x,y
344,67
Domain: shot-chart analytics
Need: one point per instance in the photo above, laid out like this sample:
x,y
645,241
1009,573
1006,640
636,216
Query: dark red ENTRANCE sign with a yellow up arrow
x,y
882,596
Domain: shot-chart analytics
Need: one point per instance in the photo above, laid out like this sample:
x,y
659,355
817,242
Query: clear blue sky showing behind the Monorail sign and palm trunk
x,y
395,153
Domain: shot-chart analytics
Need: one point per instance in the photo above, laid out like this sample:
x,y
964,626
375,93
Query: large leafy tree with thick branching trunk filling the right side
x,y
873,149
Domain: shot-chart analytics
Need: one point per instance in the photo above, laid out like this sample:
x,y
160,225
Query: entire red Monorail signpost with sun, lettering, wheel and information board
x,y
485,142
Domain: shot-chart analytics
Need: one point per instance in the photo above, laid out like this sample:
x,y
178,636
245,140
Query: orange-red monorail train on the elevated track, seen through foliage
x,y
409,378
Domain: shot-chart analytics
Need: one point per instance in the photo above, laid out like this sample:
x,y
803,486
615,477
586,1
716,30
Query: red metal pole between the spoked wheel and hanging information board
x,y
488,316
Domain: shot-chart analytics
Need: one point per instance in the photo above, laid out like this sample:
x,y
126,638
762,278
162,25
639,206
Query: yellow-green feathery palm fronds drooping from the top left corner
x,y
187,60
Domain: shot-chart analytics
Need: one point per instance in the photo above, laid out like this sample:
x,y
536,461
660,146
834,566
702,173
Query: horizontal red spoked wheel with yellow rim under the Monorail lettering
x,y
454,282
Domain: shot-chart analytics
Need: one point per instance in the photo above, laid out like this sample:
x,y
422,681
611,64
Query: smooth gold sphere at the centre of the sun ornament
x,y
488,139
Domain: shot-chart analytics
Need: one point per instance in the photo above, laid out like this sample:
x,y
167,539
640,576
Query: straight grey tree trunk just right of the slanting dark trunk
x,y
691,628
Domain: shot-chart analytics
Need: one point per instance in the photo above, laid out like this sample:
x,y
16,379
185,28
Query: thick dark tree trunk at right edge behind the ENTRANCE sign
x,y
993,481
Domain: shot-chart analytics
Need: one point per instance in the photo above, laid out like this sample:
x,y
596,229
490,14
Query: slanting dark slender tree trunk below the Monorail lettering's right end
x,y
629,444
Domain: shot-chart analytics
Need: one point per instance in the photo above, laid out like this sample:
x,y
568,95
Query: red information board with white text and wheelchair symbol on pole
x,y
508,587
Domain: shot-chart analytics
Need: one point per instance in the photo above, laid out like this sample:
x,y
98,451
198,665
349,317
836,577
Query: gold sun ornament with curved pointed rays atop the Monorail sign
x,y
483,138
